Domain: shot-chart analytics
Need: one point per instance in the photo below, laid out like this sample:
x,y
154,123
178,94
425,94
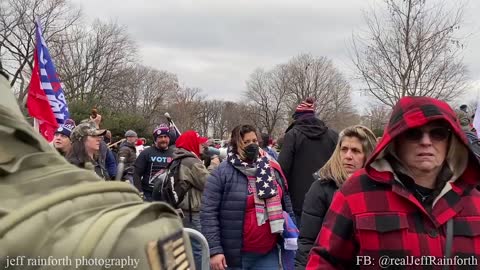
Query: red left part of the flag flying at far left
x,y
38,104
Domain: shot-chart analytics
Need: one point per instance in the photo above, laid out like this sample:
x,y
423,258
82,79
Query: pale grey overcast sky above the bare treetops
x,y
216,44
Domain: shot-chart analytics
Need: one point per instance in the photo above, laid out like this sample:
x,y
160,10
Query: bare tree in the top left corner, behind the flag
x,y
17,33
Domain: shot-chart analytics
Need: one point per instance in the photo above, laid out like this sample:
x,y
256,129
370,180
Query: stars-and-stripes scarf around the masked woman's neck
x,y
268,204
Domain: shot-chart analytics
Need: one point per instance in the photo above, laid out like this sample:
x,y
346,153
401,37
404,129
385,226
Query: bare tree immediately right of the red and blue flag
x,y
94,62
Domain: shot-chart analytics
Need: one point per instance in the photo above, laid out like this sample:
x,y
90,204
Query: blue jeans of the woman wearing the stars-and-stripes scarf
x,y
255,261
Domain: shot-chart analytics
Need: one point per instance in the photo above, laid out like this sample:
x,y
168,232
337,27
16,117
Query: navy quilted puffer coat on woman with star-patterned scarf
x,y
223,210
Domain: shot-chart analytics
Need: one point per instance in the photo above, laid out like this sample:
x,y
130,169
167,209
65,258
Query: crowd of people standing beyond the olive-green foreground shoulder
x,y
324,199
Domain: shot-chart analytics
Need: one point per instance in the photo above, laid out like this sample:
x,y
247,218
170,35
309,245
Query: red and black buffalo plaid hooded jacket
x,y
375,220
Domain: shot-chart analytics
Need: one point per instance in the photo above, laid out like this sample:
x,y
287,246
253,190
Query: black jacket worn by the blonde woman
x,y
315,207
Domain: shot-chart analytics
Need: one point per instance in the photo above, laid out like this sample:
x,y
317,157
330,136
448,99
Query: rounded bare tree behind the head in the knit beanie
x,y
273,95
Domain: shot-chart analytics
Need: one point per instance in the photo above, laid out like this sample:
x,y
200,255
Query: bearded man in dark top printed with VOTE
x,y
153,160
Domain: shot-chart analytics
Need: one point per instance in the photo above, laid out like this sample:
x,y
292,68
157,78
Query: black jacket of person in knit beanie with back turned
x,y
307,146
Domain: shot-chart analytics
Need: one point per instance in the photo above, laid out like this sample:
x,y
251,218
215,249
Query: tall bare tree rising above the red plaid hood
x,y
411,50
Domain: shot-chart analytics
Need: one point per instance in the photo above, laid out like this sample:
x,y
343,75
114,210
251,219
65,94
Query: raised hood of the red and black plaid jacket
x,y
413,112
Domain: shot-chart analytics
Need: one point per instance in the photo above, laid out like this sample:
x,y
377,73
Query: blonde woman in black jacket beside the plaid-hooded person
x,y
354,145
